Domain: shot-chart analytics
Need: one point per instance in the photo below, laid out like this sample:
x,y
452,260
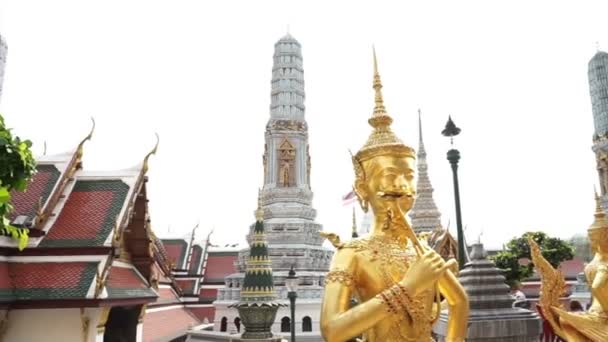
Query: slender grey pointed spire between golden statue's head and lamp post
x,y
425,215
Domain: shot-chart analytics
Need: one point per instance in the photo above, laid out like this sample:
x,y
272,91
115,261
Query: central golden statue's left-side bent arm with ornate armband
x,y
338,321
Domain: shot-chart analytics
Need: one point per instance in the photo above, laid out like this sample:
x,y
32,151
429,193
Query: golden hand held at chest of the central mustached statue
x,y
424,272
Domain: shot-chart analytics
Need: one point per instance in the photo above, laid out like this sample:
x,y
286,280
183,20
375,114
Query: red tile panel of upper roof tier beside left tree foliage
x,y
39,189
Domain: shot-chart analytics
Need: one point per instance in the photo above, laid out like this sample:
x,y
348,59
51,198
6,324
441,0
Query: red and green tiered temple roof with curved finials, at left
x,y
81,223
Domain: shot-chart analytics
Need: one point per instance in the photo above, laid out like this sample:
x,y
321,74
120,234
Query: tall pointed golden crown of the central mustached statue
x,y
382,140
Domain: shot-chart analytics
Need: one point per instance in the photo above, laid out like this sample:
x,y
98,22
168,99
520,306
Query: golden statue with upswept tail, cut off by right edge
x,y
578,326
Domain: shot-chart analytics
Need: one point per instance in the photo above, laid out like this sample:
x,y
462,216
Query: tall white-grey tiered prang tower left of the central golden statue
x,y
289,218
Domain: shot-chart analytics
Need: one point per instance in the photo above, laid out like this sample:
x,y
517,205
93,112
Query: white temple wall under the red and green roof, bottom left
x,y
50,325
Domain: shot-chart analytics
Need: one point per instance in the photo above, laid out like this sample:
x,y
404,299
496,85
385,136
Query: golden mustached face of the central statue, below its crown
x,y
389,182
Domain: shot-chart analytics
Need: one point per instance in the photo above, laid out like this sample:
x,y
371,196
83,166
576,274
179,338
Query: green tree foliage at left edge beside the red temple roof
x,y
17,166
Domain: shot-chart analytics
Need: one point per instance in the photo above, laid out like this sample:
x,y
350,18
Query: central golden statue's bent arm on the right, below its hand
x,y
458,306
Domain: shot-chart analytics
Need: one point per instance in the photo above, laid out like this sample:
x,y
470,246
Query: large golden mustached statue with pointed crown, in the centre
x,y
396,279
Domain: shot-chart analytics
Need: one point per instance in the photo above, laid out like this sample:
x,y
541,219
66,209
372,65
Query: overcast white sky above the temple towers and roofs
x,y
512,75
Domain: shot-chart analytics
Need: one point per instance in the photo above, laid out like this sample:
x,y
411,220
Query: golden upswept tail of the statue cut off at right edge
x,y
552,287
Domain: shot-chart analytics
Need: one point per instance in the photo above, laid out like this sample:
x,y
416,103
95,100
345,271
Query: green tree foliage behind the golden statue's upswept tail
x,y
554,250
